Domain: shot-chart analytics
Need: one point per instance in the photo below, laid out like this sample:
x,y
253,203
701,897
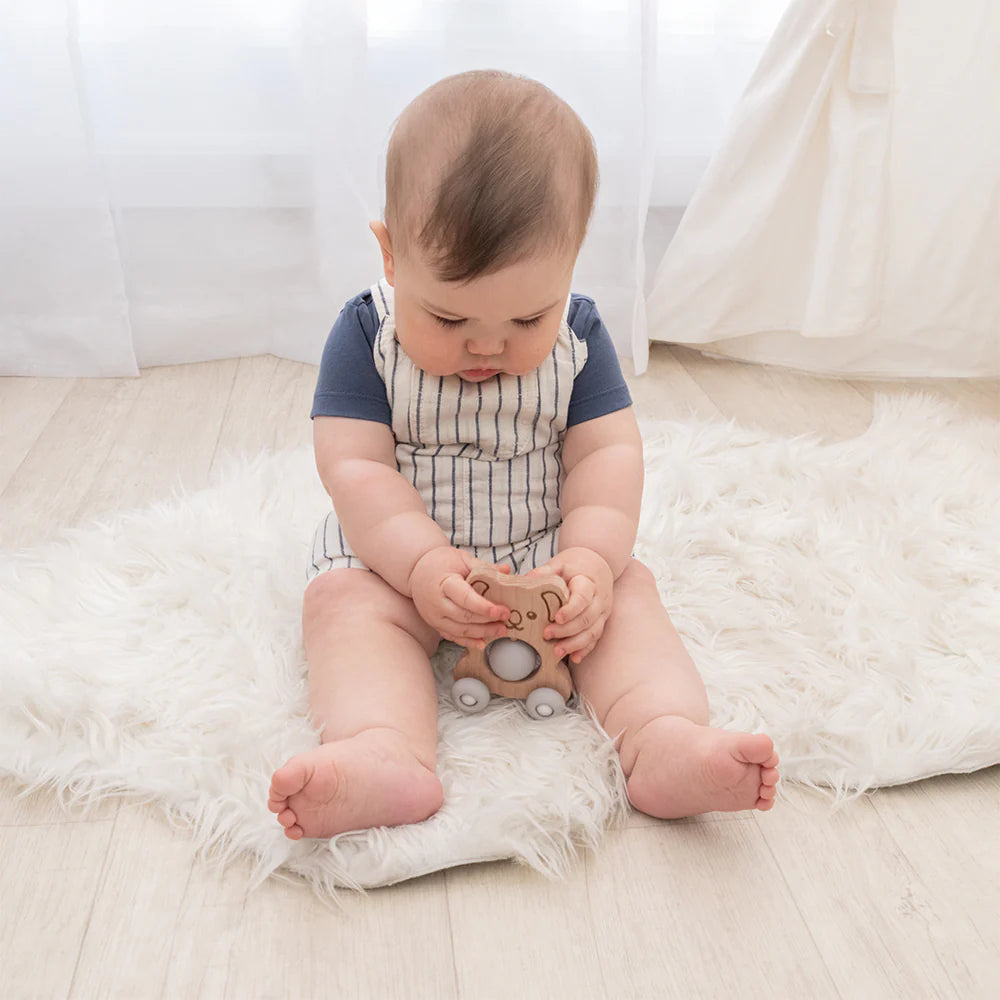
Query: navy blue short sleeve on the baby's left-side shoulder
x,y
349,384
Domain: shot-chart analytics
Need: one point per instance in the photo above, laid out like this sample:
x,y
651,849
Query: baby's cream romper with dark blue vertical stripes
x,y
484,456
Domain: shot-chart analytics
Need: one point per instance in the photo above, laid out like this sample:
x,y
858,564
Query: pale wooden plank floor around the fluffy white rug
x,y
895,895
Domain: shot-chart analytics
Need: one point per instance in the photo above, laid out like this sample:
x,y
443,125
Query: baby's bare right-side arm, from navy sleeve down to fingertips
x,y
600,506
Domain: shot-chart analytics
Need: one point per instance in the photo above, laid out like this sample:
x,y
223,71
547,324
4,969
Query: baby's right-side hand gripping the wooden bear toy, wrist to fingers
x,y
580,621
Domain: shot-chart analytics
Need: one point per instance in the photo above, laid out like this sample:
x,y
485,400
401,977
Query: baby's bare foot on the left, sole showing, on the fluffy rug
x,y
371,779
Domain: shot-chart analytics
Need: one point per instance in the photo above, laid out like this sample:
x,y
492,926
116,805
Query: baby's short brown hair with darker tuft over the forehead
x,y
485,169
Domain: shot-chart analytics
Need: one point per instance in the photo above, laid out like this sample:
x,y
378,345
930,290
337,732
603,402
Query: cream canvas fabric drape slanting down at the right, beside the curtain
x,y
849,222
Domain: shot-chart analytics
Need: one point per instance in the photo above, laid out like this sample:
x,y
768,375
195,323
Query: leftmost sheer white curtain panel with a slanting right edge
x,y
63,307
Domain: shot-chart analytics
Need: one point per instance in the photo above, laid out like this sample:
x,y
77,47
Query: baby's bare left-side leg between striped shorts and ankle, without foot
x,y
368,651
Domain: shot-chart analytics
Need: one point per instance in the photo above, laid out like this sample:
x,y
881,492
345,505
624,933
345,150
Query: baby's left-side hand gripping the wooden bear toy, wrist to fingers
x,y
447,603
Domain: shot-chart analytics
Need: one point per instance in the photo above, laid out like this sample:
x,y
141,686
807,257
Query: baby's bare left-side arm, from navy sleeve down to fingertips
x,y
385,520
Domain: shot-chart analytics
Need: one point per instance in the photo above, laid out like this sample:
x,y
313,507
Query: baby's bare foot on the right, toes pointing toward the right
x,y
682,769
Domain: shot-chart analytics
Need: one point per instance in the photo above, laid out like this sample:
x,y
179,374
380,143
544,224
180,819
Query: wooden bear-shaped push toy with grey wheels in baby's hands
x,y
521,665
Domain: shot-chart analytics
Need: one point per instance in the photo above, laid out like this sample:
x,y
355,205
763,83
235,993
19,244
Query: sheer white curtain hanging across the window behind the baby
x,y
189,180
